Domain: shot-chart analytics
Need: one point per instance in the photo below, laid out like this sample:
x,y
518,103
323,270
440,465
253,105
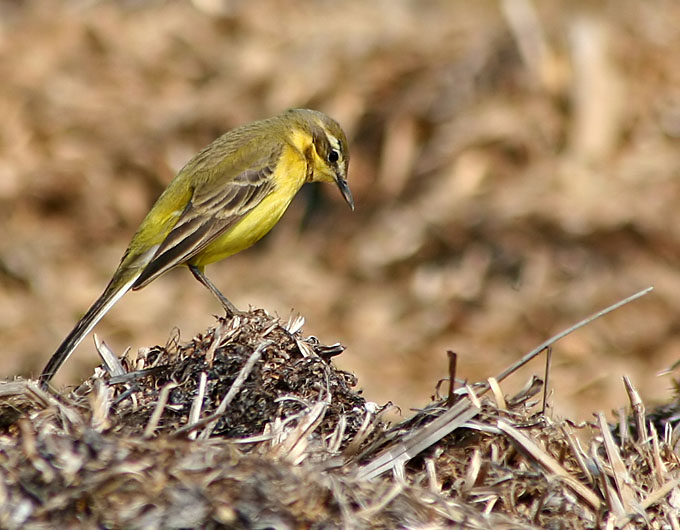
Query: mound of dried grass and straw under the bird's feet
x,y
250,425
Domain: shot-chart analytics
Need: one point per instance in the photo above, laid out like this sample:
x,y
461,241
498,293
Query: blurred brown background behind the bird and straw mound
x,y
515,166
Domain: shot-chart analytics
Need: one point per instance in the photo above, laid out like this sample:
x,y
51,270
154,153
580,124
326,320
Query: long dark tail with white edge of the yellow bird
x,y
114,291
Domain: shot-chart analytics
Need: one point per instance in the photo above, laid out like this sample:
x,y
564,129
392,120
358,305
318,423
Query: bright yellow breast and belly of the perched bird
x,y
289,177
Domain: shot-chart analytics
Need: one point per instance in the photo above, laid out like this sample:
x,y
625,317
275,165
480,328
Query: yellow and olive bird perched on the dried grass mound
x,y
221,202
